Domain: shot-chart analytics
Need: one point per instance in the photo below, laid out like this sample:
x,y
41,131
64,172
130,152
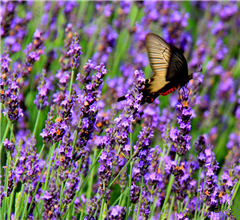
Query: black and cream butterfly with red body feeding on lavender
x,y
169,67
